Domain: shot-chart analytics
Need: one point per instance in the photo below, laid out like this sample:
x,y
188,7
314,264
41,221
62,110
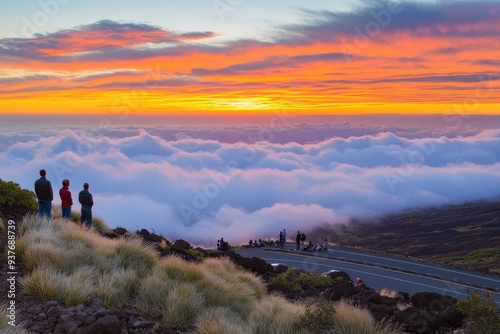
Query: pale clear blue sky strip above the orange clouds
x,y
235,17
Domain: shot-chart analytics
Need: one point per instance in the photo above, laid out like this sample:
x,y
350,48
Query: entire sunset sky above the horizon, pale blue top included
x,y
249,56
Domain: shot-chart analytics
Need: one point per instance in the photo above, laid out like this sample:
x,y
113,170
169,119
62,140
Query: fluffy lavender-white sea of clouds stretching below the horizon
x,y
240,181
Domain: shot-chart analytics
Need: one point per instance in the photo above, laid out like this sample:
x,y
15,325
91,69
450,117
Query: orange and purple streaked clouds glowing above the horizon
x,y
380,57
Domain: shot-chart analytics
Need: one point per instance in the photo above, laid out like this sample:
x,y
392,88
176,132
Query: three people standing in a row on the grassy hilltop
x,y
45,196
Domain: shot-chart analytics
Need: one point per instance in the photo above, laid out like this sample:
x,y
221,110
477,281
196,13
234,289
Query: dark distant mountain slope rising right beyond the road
x,y
466,235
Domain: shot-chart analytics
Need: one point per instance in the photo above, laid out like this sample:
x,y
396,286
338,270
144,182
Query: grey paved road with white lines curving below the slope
x,y
378,277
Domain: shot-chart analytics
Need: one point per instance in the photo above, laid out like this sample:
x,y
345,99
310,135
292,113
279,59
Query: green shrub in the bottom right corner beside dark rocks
x,y
482,313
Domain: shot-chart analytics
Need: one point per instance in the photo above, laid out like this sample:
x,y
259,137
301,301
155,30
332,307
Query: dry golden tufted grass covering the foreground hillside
x,y
72,265
